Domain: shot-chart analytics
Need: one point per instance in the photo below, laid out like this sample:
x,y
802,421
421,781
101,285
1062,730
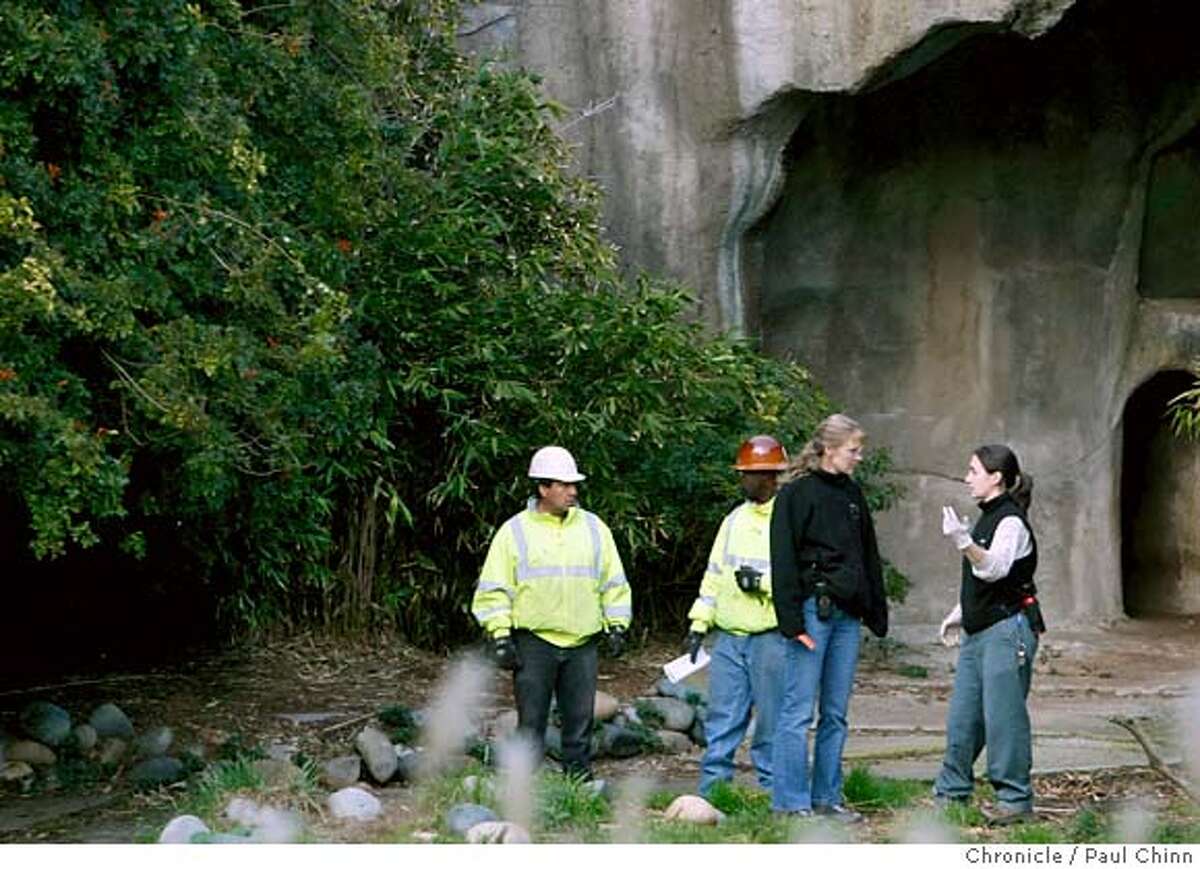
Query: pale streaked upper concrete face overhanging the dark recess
x,y
681,110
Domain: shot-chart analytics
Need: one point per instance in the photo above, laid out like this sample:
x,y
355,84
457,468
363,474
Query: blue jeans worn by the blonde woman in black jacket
x,y
826,674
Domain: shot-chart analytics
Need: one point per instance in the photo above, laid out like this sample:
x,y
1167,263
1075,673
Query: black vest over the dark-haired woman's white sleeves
x,y
987,603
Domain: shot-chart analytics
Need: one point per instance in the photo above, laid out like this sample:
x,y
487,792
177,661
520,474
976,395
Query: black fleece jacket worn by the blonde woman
x,y
824,519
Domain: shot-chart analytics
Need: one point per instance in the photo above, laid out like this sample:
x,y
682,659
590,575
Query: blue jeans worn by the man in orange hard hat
x,y
746,672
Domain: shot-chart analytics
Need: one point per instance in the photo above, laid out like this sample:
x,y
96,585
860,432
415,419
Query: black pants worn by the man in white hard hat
x,y
568,674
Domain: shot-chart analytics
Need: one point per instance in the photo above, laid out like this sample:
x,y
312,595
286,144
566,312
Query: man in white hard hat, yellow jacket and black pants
x,y
551,588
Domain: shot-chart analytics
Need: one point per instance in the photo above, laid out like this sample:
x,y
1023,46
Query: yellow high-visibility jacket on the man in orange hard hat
x,y
745,538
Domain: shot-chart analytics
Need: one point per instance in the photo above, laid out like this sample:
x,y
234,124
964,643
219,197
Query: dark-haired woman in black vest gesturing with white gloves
x,y
1000,621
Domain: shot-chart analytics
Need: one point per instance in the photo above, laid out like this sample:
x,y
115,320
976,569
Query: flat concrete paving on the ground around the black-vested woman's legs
x,y
1083,679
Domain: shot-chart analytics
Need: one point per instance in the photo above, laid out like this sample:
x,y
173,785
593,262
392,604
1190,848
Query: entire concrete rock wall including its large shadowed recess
x,y
945,208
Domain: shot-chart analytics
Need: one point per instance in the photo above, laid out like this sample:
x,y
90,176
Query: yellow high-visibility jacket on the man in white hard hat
x,y
561,579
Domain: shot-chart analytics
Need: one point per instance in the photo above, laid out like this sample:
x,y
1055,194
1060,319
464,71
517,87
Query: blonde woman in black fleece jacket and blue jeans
x,y
829,582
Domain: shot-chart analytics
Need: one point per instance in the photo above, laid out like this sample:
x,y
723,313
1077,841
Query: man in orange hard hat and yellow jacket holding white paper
x,y
736,604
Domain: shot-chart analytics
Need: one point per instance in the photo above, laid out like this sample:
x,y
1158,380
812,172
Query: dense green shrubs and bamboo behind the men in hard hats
x,y
301,289
